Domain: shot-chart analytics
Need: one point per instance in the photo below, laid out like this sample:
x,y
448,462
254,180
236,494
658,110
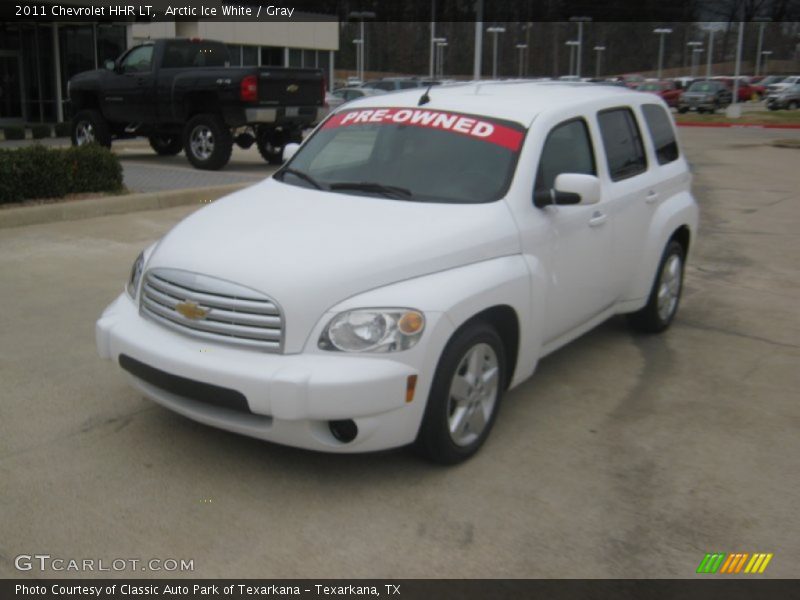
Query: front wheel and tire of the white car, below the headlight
x,y
454,429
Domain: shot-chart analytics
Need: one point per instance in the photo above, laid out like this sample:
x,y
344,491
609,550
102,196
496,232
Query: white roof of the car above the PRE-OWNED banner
x,y
519,101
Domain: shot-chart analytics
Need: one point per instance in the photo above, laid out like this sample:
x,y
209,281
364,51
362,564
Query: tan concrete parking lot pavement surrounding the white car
x,y
624,456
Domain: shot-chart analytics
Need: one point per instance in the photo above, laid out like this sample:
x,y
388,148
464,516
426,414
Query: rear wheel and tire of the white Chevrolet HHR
x,y
665,295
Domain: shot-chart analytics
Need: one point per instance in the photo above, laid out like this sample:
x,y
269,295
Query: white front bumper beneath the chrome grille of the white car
x,y
291,398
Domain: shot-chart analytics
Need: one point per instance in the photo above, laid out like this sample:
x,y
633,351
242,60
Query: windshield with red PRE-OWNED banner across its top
x,y
409,153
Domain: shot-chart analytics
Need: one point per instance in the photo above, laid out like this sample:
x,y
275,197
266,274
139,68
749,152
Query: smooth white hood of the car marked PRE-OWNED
x,y
309,250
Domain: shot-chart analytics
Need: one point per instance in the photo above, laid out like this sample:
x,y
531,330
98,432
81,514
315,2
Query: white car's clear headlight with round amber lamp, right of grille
x,y
373,330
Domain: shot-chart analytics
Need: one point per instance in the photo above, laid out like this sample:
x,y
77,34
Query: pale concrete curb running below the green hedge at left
x,y
112,205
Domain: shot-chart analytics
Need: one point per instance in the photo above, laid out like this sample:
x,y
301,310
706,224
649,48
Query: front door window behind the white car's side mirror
x,y
568,149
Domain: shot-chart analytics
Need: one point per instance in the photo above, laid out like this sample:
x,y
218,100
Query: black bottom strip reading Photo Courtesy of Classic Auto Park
x,y
733,588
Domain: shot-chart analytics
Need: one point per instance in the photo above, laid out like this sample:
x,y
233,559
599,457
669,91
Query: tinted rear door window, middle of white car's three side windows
x,y
622,143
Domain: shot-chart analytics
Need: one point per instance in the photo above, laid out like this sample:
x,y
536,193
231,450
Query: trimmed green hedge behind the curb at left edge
x,y
37,172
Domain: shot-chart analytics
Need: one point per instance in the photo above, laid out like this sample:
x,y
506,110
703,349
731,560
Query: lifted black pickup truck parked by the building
x,y
183,95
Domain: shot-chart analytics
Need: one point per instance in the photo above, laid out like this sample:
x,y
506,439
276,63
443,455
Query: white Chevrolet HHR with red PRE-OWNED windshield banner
x,y
414,259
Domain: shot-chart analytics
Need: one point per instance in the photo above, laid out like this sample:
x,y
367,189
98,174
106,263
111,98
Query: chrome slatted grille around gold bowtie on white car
x,y
235,314
